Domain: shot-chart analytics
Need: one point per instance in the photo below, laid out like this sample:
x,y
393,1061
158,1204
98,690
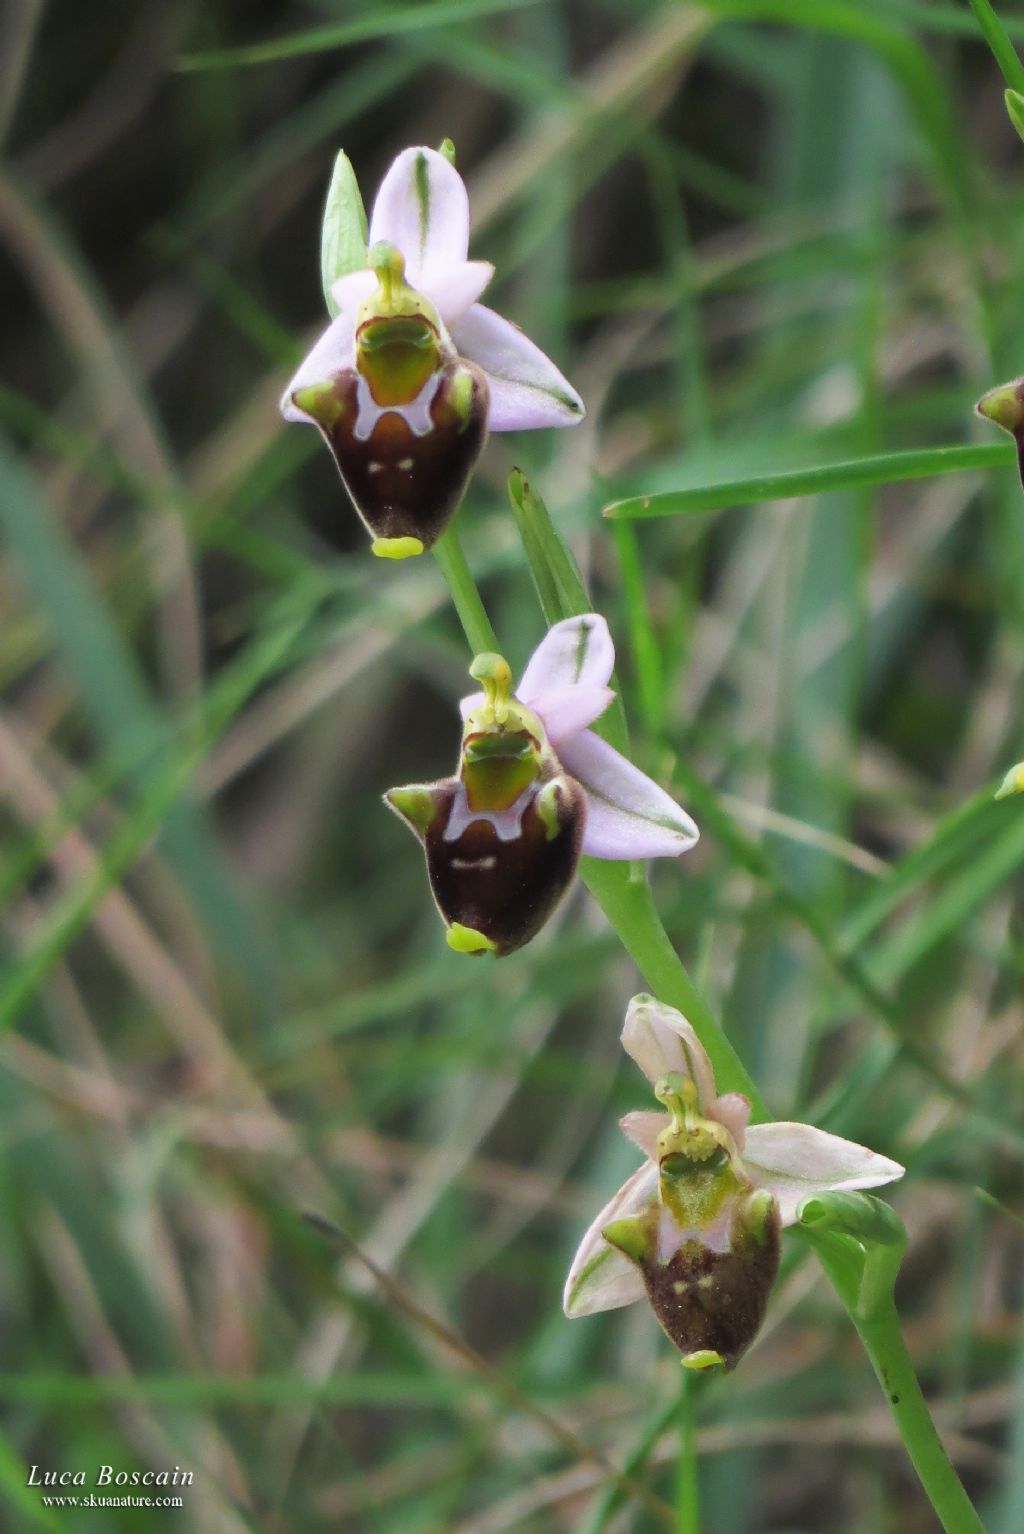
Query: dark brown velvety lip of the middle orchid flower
x,y
505,889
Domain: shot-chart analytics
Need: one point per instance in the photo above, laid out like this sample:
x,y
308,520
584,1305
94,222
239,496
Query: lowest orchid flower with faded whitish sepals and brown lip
x,y
697,1230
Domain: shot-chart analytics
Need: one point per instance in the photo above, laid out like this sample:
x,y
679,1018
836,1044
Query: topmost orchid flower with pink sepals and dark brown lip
x,y
413,372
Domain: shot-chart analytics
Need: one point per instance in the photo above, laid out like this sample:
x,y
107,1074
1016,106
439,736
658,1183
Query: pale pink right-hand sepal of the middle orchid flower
x,y
628,814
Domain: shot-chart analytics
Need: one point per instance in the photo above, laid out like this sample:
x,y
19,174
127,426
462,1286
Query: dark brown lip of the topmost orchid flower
x,y
402,484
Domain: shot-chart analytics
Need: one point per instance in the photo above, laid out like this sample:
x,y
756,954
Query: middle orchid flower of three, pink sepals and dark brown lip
x,y
536,789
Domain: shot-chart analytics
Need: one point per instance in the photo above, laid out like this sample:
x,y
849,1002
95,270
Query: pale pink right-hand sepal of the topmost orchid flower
x,y
527,387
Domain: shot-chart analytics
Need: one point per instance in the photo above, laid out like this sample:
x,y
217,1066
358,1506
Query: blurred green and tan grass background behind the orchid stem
x,y
758,235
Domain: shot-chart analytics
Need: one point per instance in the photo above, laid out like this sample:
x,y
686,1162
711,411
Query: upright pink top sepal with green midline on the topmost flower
x,y
422,209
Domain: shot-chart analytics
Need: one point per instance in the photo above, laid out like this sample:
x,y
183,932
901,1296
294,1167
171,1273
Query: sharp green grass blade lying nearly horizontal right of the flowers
x,y
887,469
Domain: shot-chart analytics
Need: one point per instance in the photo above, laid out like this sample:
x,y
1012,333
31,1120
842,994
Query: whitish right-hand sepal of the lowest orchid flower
x,y
793,1162
